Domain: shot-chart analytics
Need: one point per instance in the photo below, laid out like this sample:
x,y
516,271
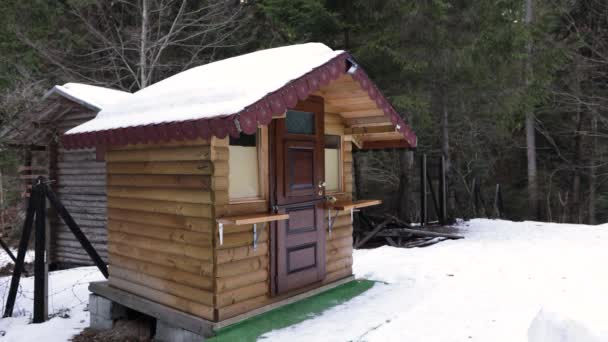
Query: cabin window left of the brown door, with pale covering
x,y
244,163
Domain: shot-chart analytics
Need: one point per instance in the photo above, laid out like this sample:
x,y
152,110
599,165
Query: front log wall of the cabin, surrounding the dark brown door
x,y
242,275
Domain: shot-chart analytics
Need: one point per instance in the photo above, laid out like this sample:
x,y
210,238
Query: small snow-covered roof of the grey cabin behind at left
x,y
93,97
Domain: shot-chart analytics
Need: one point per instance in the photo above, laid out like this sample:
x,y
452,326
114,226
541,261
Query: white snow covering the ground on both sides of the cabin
x,y
506,281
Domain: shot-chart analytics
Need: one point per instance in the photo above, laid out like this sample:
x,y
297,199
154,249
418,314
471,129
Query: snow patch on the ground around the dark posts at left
x,y
68,299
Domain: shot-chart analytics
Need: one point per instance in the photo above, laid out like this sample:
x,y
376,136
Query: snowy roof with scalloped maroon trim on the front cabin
x,y
225,97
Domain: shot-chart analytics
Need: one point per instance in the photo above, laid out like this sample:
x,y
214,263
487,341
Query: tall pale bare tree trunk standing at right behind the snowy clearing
x,y
533,191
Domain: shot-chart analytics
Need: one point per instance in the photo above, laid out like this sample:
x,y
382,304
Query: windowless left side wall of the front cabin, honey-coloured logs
x,y
160,223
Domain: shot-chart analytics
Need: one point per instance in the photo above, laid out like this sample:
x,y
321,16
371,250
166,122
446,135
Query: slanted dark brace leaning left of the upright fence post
x,y
25,238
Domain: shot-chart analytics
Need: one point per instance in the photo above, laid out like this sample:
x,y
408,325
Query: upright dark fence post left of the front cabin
x,y
40,269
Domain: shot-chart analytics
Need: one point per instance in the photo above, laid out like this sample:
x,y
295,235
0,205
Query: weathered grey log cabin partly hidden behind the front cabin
x,y
78,176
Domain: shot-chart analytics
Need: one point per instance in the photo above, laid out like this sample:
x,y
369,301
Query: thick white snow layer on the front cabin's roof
x,y
216,89
